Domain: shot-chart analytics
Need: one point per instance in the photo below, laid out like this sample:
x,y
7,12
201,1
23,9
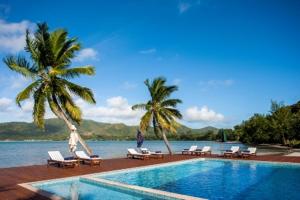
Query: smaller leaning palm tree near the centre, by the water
x,y
160,109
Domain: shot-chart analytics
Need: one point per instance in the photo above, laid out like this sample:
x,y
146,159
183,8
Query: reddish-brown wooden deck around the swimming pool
x,y
11,177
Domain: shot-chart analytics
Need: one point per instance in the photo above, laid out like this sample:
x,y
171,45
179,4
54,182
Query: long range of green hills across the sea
x,y
56,130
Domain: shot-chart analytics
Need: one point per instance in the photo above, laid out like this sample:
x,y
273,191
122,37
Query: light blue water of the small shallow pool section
x,y
78,189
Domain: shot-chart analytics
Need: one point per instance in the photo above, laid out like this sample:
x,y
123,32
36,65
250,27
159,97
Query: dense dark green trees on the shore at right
x,y
280,126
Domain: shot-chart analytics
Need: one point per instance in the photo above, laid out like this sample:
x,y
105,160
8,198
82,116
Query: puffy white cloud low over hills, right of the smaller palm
x,y
204,114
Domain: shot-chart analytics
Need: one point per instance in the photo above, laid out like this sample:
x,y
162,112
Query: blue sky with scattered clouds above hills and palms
x,y
228,58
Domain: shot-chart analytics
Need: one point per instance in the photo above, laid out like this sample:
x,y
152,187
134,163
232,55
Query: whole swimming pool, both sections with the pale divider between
x,y
200,178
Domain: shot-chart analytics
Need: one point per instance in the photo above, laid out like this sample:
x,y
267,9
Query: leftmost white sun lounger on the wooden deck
x,y
57,158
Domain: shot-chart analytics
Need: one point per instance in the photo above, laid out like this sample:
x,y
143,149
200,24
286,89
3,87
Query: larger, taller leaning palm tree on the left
x,y
49,68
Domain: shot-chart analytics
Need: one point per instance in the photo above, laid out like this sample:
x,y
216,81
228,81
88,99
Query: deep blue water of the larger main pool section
x,y
219,179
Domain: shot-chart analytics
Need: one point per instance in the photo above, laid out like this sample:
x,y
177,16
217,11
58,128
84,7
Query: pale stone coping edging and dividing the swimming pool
x,y
149,191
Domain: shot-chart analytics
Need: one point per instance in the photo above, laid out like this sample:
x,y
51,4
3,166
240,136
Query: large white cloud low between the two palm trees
x,y
116,110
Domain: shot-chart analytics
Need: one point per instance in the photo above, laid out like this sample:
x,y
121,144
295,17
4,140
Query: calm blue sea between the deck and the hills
x,y
32,153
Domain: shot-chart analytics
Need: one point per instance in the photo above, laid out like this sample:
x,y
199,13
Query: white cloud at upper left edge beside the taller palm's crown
x,y
12,35
